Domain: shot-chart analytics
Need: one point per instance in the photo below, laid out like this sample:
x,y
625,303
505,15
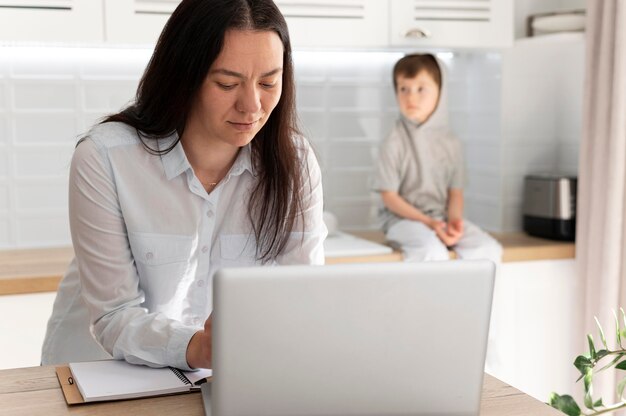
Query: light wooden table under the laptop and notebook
x,y
35,391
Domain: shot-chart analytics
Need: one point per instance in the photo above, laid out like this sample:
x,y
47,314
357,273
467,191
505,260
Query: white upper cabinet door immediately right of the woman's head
x,y
336,23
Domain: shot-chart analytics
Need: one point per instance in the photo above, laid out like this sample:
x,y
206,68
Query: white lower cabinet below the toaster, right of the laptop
x,y
534,335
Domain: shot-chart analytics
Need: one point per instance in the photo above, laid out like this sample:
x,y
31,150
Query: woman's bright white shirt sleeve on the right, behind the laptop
x,y
307,246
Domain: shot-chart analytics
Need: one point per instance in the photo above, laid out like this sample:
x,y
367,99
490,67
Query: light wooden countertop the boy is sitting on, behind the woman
x,y
40,270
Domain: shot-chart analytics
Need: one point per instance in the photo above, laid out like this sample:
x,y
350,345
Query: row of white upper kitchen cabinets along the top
x,y
312,23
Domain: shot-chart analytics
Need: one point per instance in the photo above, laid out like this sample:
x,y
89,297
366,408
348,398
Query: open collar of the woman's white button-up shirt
x,y
175,161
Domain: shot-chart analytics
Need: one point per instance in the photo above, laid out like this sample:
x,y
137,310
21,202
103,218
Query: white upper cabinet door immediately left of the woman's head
x,y
136,21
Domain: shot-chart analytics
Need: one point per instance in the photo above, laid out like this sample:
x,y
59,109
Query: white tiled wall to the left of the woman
x,y
48,97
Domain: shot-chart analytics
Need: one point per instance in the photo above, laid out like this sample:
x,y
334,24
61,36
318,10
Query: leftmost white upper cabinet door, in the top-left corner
x,y
51,20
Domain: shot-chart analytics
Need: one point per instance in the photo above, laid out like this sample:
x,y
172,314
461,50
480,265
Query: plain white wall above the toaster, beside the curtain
x,y
542,88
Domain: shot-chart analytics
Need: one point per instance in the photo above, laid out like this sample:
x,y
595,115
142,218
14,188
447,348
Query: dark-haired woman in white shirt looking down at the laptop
x,y
205,170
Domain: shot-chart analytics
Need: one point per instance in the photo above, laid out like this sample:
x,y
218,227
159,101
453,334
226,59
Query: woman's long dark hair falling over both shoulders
x,y
190,42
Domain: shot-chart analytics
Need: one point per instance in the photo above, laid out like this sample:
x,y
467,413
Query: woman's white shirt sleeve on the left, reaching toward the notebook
x,y
108,276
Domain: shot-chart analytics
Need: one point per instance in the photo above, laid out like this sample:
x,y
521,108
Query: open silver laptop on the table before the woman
x,y
362,339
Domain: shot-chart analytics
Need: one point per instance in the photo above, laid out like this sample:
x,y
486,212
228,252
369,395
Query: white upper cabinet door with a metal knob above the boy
x,y
452,23
